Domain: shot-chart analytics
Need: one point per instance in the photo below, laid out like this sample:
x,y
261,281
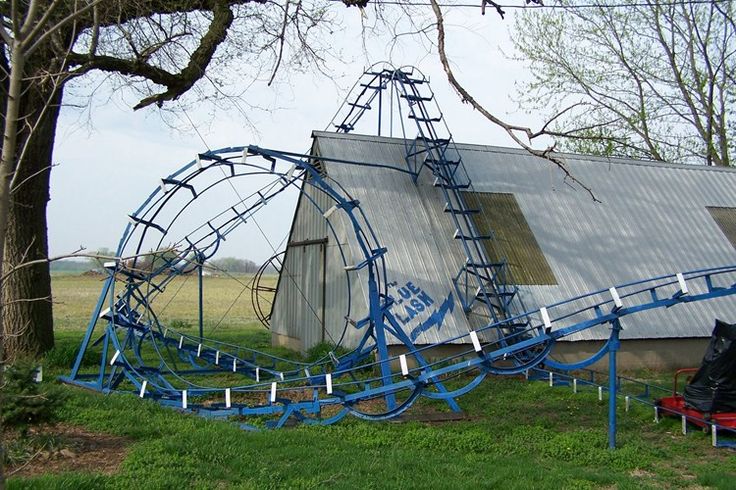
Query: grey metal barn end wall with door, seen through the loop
x,y
313,298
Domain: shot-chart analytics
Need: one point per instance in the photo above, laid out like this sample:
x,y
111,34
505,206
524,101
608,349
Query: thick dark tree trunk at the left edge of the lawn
x,y
27,314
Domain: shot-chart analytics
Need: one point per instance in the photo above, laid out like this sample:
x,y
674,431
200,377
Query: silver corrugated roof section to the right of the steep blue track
x,y
652,219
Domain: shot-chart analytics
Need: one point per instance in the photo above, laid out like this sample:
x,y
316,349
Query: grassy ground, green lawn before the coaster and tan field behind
x,y
519,434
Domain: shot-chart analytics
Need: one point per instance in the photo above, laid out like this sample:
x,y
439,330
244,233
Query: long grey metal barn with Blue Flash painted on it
x,y
558,243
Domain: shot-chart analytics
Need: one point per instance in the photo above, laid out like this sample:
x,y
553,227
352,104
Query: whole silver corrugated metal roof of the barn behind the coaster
x,y
652,219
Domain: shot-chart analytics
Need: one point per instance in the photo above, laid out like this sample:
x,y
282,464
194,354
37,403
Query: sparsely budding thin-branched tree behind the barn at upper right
x,y
653,81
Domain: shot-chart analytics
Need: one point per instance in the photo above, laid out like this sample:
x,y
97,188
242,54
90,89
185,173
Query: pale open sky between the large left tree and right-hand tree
x,y
108,159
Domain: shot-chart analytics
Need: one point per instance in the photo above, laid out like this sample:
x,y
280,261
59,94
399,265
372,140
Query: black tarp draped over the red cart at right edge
x,y
713,388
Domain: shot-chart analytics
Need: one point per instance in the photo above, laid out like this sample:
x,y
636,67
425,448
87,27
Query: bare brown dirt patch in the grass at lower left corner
x,y
64,448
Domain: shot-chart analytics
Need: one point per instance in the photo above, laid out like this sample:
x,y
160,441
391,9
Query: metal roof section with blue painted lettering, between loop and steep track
x,y
408,220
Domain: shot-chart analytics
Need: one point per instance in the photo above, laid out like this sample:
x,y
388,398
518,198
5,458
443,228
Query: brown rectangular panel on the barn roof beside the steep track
x,y
513,240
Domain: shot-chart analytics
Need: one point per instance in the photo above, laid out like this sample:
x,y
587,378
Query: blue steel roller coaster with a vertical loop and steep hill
x,y
141,354
